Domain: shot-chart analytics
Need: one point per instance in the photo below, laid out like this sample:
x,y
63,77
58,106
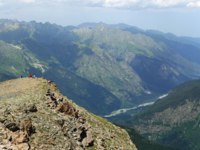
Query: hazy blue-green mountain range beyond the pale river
x,y
102,67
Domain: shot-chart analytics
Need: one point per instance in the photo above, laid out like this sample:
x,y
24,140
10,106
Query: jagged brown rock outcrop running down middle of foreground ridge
x,y
78,130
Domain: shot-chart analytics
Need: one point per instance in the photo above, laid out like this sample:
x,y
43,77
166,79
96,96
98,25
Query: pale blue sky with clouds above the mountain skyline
x,y
181,17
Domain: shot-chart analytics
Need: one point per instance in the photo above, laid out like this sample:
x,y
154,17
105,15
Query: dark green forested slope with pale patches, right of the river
x,y
173,120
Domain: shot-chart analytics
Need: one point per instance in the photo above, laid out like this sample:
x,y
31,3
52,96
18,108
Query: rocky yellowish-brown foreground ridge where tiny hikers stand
x,y
36,116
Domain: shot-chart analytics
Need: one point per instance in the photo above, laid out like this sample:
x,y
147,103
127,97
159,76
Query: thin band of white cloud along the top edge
x,y
131,4
